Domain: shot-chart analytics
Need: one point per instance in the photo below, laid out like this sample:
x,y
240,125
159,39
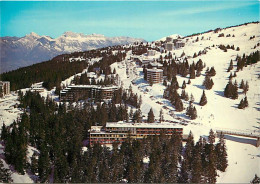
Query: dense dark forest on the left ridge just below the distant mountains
x,y
52,72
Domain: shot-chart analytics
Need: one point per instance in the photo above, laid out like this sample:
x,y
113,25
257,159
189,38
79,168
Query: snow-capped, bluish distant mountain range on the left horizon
x,y
23,51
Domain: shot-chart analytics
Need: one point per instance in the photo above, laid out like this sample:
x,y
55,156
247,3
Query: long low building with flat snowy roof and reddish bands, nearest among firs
x,y
120,131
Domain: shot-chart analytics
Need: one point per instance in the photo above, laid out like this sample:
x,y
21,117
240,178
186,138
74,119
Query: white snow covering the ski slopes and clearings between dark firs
x,y
218,113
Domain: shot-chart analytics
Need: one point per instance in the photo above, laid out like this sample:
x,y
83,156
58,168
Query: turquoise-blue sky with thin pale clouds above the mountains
x,y
149,20
